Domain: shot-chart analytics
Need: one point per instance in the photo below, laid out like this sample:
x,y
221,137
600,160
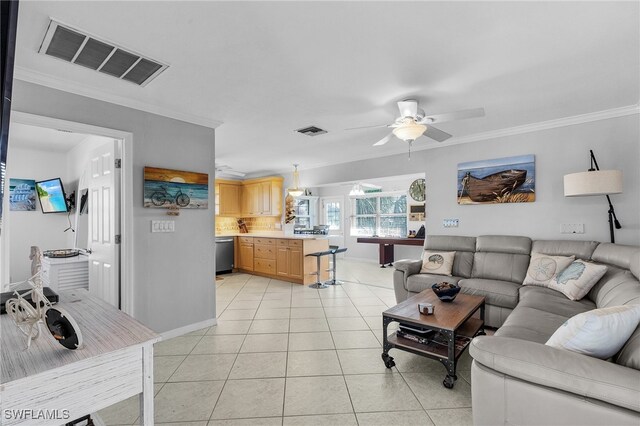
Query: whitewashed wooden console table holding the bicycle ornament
x,y
115,364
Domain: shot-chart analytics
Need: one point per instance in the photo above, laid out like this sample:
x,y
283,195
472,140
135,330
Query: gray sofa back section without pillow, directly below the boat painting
x,y
501,257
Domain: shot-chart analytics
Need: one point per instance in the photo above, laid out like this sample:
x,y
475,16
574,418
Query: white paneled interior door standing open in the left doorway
x,y
104,224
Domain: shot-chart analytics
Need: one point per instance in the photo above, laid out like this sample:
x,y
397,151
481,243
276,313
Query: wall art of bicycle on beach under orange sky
x,y
165,188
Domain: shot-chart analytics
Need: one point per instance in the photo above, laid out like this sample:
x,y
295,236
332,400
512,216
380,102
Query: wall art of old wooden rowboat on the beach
x,y
500,180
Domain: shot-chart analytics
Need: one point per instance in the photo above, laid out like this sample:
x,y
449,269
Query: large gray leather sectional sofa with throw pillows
x,y
516,378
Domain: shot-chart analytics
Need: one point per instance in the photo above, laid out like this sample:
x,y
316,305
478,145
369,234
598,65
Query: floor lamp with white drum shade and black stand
x,y
596,182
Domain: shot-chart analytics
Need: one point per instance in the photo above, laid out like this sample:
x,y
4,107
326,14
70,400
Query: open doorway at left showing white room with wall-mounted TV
x,y
91,162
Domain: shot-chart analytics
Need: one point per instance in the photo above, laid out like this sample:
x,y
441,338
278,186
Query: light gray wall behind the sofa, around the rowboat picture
x,y
557,151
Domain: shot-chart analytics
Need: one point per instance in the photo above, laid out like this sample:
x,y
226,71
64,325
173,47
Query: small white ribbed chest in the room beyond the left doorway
x,y
66,273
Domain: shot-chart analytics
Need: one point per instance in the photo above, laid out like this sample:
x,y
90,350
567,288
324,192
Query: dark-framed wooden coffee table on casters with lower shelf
x,y
452,325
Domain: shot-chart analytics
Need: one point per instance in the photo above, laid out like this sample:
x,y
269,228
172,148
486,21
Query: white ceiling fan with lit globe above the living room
x,y
413,123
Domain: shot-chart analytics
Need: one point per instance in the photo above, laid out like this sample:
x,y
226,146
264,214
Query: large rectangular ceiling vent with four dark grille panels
x,y
72,45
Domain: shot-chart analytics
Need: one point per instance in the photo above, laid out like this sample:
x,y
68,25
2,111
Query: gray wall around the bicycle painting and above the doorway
x,y
174,273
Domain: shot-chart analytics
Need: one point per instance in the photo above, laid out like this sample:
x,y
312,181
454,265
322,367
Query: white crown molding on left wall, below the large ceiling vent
x,y
31,76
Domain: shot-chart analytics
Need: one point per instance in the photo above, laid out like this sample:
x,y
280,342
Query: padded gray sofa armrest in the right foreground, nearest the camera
x,y
559,369
